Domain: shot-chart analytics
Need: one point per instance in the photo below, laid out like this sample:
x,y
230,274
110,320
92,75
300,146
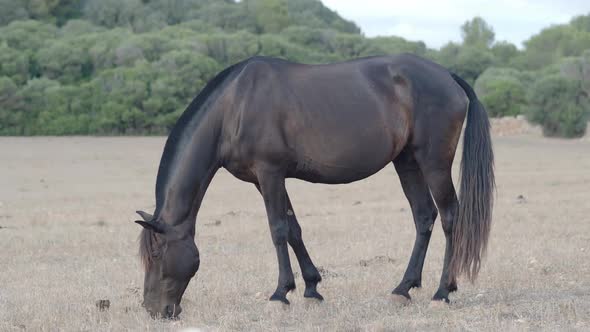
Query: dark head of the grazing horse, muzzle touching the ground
x,y
170,258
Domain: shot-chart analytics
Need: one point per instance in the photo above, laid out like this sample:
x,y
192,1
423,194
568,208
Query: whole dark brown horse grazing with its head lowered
x,y
267,119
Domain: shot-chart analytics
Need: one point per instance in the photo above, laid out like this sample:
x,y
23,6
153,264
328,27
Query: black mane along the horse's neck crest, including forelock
x,y
146,238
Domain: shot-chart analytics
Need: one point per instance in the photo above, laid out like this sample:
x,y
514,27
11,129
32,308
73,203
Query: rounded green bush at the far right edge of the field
x,y
557,104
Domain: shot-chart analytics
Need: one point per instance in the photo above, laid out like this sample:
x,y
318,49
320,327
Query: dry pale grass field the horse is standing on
x,y
67,239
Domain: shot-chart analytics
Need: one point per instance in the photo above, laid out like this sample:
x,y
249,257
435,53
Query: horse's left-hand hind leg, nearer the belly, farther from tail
x,y
424,213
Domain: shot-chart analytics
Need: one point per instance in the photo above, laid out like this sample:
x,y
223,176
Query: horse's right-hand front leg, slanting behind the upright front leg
x,y
310,273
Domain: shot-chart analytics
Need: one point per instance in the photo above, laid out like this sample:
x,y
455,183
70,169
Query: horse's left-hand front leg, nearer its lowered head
x,y
272,187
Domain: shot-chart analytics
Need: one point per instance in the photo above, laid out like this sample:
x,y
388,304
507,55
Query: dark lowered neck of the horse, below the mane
x,y
187,170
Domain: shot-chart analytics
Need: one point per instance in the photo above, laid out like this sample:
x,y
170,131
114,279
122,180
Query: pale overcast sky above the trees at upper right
x,y
437,22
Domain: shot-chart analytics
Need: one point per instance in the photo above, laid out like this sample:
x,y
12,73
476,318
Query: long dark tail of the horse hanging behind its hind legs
x,y
472,227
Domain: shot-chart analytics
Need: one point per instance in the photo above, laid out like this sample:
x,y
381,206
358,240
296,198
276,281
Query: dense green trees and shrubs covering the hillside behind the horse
x,y
106,67
